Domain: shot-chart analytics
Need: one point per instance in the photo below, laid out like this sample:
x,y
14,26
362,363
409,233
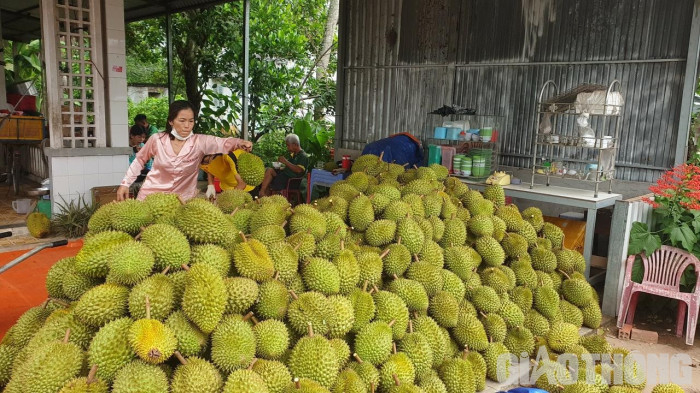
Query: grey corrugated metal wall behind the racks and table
x,y
403,58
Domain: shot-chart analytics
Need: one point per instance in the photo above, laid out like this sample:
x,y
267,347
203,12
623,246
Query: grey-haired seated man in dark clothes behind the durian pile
x,y
295,162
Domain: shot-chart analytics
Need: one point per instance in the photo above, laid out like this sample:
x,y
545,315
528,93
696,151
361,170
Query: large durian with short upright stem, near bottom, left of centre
x,y
313,357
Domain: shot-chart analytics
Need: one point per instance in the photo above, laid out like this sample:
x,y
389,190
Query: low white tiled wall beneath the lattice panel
x,y
72,177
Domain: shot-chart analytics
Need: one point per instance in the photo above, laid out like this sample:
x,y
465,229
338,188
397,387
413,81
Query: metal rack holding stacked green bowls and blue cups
x,y
476,121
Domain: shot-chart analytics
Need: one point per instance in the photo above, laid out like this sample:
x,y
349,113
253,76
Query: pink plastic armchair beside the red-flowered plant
x,y
662,276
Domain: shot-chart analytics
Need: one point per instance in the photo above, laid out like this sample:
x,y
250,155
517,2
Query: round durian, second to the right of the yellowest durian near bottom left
x,y
233,344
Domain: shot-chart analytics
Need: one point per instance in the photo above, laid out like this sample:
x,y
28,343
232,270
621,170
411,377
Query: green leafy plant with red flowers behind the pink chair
x,y
676,216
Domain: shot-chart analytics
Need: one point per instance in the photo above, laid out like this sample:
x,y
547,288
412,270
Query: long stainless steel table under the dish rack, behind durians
x,y
561,196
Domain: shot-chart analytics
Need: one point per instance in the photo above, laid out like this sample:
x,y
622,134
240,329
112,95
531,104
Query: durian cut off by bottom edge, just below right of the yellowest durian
x,y
195,375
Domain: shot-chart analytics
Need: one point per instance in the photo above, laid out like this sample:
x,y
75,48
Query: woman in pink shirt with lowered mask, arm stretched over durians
x,y
177,153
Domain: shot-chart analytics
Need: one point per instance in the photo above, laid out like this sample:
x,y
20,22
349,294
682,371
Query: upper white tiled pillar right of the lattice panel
x,y
115,77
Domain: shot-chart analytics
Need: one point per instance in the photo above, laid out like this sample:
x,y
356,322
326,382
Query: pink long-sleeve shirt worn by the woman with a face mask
x,y
176,173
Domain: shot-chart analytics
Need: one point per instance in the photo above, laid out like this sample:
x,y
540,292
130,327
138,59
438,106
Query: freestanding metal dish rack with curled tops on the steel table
x,y
571,149
